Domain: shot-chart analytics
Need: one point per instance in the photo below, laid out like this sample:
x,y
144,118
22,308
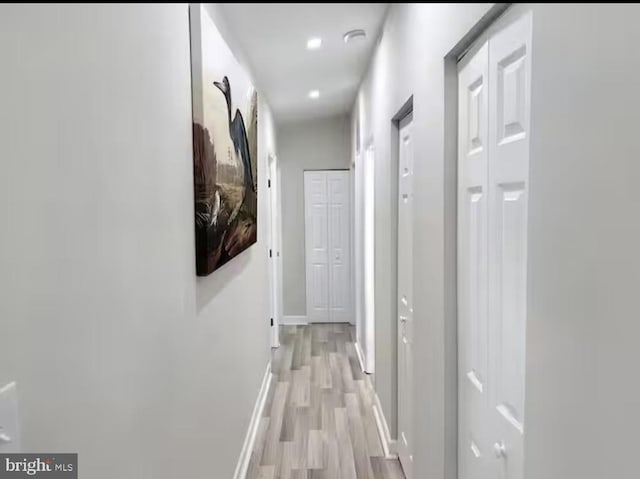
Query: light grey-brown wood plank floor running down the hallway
x,y
318,421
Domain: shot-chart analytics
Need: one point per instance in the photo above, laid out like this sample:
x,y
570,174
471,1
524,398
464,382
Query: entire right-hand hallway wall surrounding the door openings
x,y
581,396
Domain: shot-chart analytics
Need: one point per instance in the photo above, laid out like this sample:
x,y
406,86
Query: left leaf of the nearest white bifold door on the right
x,y
473,135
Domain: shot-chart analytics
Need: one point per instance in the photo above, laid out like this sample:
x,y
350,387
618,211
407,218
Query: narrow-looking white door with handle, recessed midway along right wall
x,y
405,295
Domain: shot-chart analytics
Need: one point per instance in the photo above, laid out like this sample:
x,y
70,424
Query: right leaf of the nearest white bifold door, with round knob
x,y
509,113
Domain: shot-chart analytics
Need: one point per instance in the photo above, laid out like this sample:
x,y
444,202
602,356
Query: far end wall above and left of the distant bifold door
x,y
310,145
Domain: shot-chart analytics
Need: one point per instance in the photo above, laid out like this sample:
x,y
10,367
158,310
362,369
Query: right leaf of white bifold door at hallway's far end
x,y
339,225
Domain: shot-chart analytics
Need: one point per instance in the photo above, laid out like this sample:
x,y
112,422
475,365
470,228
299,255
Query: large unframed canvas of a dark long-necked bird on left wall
x,y
225,147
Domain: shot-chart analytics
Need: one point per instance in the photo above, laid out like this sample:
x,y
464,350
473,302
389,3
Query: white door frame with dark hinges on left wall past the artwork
x,y
275,247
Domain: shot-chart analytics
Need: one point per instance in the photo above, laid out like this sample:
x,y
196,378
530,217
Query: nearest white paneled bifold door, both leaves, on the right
x,y
493,162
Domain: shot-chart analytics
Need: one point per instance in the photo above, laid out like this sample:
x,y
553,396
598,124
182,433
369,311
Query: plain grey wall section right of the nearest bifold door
x,y
582,394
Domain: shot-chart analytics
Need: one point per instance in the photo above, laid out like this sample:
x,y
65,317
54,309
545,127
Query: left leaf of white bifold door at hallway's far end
x,y
317,245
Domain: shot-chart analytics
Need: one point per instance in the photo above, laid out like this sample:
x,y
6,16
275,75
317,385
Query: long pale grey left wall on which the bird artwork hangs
x,y
119,353
